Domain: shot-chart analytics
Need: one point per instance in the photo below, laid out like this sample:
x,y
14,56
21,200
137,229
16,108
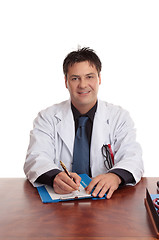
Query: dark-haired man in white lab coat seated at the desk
x,y
53,135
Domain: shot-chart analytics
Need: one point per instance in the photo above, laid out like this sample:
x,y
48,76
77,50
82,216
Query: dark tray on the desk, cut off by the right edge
x,y
154,217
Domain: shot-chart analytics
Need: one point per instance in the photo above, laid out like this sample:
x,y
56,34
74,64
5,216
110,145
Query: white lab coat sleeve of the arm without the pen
x,y
127,151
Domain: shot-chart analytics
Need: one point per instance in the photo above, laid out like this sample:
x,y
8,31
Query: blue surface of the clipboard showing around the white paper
x,y
46,197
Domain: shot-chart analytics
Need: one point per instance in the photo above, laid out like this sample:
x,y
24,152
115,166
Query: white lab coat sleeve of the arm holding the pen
x,y
41,151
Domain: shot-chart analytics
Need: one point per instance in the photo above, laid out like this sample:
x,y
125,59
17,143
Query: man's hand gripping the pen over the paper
x,y
63,184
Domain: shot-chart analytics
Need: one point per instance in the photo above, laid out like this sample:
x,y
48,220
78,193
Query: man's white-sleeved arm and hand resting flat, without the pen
x,y
128,167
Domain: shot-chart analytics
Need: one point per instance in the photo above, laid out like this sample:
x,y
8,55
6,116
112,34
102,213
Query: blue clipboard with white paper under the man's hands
x,y
48,195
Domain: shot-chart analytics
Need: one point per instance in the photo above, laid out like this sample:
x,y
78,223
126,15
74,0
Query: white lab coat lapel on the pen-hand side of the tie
x,y
65,126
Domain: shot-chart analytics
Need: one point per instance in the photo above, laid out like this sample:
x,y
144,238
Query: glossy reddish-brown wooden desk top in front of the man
x,y
24,216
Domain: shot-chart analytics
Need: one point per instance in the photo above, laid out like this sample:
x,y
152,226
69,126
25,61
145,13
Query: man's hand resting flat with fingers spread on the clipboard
x,y
103,183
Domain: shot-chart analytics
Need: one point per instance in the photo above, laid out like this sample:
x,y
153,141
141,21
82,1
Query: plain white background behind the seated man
x,y
35,37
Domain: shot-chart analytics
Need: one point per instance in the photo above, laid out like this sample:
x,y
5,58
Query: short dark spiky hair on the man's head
x,y
81,55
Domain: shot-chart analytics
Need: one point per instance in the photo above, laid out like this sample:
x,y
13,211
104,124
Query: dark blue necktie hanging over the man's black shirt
x,y
81,149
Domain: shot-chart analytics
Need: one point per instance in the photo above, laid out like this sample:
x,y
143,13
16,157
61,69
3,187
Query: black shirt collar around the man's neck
x,y
90,113
